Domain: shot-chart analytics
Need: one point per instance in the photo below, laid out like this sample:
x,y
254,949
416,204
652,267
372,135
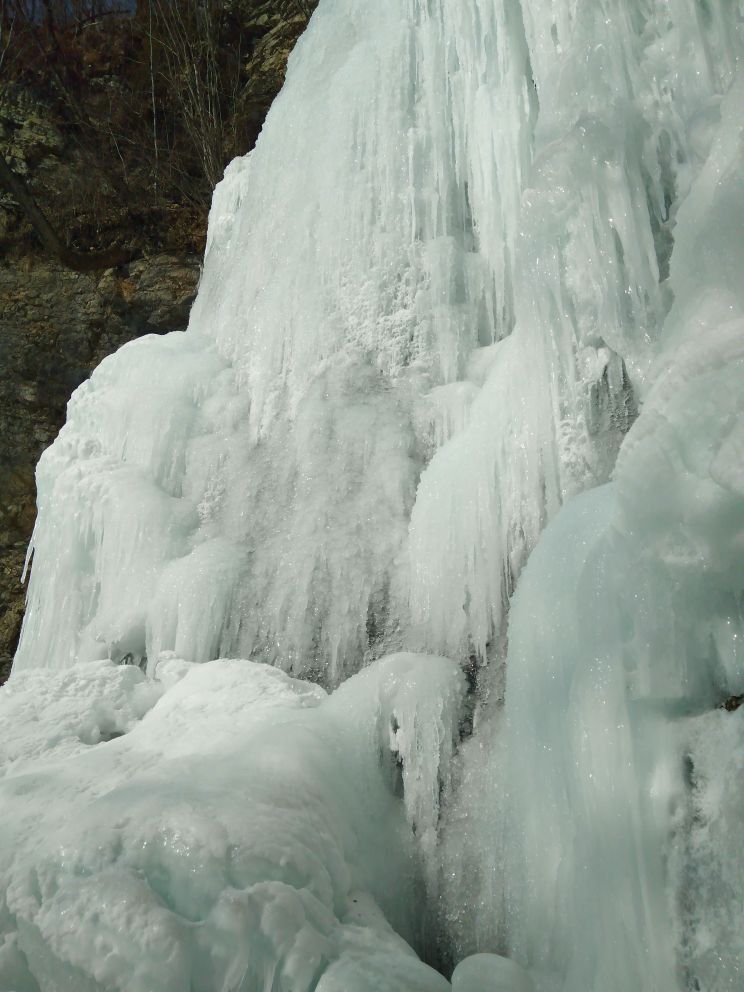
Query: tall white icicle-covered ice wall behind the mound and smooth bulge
x,y
467,277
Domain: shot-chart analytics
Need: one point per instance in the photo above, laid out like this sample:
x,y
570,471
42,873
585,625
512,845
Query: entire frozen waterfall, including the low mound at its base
x,y
500,317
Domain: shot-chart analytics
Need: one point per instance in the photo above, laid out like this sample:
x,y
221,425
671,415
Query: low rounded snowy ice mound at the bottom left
x,y
244,834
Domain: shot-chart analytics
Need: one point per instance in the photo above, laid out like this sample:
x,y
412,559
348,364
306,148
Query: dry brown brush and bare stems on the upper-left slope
x,y
128,114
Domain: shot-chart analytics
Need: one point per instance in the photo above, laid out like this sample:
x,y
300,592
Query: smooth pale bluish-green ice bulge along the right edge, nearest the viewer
x,y
609,816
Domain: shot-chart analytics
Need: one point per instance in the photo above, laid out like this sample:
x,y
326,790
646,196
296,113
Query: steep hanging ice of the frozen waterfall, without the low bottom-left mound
x,y
511,268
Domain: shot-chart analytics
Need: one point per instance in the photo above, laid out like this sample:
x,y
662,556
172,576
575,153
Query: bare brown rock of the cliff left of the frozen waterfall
x,y
56,325
